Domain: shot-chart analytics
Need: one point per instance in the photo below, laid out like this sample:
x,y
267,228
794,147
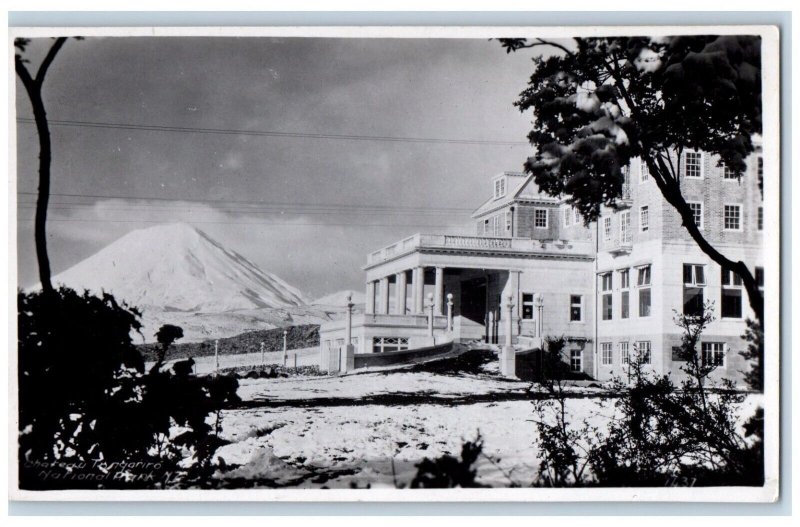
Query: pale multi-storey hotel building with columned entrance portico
x,y
610,287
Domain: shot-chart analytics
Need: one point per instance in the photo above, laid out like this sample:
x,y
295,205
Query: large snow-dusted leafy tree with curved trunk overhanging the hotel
x,y
601,101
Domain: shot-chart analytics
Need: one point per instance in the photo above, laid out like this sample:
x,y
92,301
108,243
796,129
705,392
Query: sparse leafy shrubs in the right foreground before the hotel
x,y
658,433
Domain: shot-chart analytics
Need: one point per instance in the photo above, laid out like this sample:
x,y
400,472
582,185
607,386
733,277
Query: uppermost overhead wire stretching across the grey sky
x,y
271,133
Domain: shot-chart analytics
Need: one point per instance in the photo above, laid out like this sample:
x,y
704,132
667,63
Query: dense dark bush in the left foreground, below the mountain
x,y
89,416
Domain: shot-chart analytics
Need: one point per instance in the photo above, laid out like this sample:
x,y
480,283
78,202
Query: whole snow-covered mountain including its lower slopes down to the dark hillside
x,y
177,274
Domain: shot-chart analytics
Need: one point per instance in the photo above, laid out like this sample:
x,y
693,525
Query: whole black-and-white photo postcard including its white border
x,y
395,263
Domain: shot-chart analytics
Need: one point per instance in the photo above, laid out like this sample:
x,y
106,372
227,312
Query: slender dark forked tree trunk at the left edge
x,y
33,87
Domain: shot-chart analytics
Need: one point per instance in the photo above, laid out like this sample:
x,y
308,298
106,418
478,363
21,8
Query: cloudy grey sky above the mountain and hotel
x,y
305,207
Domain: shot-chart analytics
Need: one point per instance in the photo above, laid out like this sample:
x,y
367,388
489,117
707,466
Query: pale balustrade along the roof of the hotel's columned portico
x,y
447,241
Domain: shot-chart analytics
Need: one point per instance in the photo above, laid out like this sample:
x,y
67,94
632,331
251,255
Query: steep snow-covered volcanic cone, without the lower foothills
x,y
176,267
